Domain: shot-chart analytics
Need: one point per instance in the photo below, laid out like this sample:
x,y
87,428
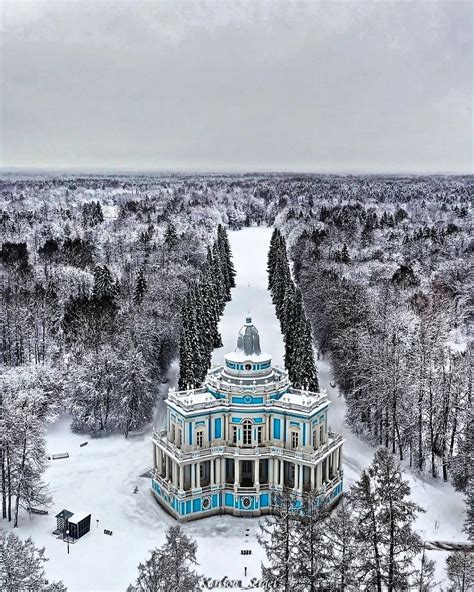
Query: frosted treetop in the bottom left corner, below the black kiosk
x,y
22,566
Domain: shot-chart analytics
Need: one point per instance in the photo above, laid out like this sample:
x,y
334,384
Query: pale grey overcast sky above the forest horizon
x,y
307,86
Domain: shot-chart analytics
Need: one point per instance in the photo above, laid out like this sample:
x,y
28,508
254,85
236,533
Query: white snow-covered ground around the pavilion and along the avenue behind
x,y
100,478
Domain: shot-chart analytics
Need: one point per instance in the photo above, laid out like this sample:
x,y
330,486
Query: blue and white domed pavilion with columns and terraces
x,y
243,435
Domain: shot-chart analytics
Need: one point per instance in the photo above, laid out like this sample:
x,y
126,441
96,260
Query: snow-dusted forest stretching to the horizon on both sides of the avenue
x,y
97,274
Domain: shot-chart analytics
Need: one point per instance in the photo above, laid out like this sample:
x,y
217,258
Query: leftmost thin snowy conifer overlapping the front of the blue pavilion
x,y
278,537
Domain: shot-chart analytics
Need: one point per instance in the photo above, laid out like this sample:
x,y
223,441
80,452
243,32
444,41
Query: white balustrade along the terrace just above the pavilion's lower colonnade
x,y
234,451
